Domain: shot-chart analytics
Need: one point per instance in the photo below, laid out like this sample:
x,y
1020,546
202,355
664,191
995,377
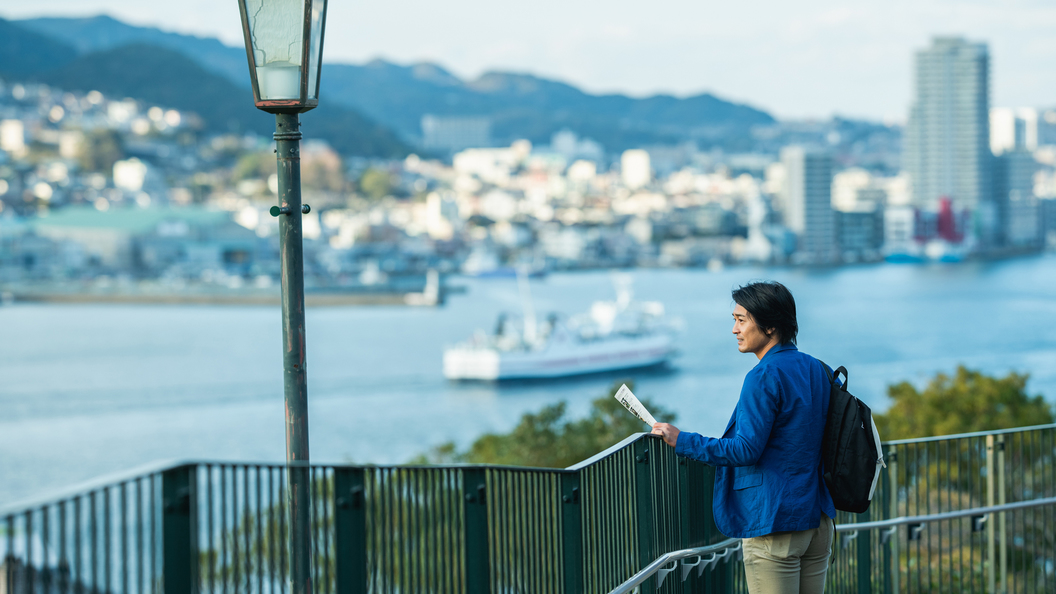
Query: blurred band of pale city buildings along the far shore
x,y
570,205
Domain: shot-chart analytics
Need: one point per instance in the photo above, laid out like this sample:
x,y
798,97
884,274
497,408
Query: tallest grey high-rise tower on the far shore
x,y
948,139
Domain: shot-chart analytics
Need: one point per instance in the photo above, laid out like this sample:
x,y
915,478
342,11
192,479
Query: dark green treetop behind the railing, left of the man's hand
x,y
549,439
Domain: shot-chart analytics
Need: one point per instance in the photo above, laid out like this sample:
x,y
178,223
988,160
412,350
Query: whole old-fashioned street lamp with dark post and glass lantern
x,y
285,46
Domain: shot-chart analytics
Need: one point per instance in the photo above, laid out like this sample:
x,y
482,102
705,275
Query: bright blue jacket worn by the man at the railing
x,y
769,460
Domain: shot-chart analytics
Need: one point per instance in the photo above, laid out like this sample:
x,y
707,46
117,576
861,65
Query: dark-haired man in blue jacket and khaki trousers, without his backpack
x,y
769,489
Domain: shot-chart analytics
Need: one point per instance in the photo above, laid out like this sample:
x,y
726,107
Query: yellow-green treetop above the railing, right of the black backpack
x,y
969,401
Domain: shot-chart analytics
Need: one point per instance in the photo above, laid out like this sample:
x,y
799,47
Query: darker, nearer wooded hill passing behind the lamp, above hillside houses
x,y
169,79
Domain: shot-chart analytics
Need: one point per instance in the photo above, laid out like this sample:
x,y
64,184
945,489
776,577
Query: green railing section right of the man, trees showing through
x,y
965,513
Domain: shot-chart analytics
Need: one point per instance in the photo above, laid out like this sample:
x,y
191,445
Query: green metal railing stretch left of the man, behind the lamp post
x,y
222,528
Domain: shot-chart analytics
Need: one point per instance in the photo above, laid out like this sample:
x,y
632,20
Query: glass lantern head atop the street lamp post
x,y
285,42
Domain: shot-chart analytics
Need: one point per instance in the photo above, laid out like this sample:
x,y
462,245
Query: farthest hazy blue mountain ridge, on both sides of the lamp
x,y
399,97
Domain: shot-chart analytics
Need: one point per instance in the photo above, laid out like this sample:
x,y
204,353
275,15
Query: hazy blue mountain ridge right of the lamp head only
x,y
526,106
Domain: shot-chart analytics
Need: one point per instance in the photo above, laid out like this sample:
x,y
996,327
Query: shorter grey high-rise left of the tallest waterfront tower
x,y
808,205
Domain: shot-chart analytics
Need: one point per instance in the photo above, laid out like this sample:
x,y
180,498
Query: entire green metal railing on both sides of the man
x,y
222,528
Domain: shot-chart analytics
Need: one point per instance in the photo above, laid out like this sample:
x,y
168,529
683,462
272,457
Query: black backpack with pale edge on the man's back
x,y
851,449
